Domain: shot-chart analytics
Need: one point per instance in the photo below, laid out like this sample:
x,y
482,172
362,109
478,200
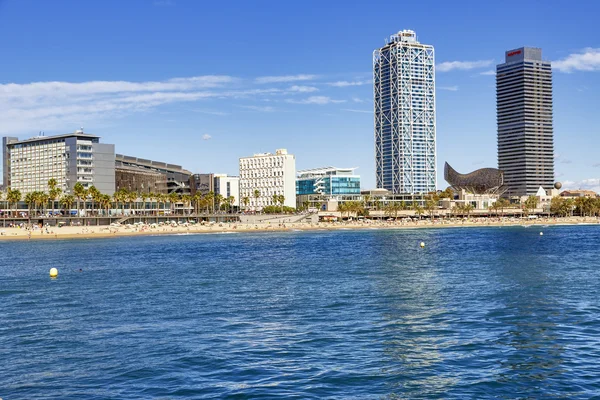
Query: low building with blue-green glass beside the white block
x,y
327,181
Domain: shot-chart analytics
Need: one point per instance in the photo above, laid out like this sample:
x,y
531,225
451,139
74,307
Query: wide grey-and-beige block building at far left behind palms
x,y
69,159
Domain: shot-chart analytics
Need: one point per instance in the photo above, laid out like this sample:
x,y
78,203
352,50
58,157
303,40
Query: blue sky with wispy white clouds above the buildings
x,y
203,83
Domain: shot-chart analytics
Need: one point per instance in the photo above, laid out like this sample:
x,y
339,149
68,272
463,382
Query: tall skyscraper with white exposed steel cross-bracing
x,y
404,97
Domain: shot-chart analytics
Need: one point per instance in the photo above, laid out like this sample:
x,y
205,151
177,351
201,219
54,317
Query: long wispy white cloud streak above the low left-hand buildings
x,y
30,107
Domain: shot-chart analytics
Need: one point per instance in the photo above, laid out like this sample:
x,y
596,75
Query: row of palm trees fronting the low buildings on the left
x,y
40,201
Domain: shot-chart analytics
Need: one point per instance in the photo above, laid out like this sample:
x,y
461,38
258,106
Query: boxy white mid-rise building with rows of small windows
x,y
268,174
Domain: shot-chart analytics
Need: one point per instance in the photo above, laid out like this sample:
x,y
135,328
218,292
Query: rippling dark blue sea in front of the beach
x,y
478,313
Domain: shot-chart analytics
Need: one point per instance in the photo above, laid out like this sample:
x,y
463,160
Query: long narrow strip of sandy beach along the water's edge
x,y
103,232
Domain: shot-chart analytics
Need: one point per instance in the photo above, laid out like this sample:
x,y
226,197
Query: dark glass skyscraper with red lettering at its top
x,y
524,114
